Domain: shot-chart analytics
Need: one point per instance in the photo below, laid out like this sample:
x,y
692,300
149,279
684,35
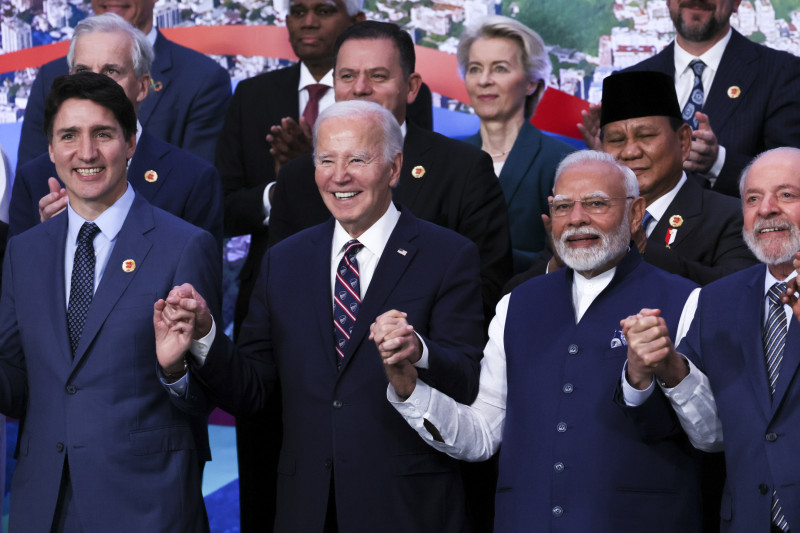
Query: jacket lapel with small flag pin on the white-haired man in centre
x,y
397,256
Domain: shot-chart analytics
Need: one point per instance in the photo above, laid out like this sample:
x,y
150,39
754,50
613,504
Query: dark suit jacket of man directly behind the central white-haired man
x,y
443,181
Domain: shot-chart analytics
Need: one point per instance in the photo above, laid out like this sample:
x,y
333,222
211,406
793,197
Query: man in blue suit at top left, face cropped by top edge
x,y
185,108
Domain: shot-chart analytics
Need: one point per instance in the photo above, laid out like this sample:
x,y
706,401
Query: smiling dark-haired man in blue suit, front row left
x,y
103,445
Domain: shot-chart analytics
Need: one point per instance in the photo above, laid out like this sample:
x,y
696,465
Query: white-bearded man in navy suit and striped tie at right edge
x,y
744,338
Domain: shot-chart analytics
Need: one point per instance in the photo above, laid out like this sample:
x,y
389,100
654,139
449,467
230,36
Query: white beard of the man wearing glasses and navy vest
x,y
612,245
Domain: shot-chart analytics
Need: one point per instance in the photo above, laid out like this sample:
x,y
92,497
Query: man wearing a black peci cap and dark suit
x,y
690,231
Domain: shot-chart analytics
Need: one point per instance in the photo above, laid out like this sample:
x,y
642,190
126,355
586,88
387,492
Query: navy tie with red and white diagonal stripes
x,y
346,297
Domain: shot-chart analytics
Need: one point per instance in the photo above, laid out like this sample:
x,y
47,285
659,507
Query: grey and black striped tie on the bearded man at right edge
x,y
774,337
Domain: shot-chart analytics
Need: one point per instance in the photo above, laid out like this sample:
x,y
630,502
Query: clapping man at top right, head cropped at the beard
x,y
752,104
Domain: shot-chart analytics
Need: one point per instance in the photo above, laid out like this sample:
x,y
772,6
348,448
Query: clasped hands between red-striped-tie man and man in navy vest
x,y
399,348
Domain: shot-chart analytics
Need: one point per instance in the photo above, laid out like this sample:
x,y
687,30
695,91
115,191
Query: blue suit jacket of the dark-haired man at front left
x,y
131,447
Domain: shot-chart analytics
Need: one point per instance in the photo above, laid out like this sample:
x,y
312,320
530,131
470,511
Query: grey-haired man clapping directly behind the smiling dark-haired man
x,y
166,176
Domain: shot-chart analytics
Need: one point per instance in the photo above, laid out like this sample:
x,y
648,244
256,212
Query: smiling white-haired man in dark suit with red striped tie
x,y
348,461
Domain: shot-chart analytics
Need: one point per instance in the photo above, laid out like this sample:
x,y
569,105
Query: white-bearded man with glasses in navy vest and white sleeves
x,y
574,456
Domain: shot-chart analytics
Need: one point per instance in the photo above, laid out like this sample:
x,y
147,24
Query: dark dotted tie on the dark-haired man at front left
x,y
82,283
